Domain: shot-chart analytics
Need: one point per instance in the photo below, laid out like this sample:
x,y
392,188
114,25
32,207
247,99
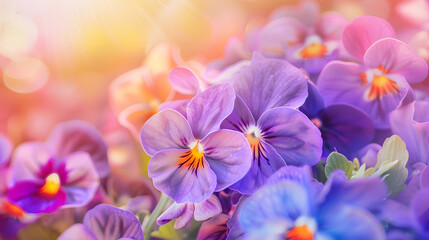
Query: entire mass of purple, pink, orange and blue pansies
x,y
313,126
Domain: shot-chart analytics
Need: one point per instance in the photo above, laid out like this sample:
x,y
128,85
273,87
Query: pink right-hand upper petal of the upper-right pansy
x,y
397,57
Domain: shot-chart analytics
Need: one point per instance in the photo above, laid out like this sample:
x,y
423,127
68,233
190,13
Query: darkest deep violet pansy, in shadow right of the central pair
x,y
344,128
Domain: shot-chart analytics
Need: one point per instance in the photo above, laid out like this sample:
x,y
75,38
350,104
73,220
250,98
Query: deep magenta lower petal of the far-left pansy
x,y
26,195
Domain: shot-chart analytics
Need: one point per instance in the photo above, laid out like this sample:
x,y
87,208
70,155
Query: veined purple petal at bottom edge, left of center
x,y
110,223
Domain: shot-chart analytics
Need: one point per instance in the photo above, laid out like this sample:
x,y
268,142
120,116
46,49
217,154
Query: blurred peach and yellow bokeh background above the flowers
x,y
57,58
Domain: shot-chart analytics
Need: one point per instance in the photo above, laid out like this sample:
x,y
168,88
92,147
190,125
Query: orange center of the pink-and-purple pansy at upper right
x,y
381,85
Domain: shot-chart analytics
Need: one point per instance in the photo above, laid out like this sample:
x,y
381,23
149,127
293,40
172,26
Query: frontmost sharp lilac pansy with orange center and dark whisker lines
x,y
192,157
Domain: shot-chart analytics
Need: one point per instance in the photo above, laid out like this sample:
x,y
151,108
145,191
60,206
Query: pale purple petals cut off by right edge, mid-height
x,y
411,123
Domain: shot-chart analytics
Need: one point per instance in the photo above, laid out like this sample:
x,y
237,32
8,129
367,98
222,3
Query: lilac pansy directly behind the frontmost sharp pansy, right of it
x,y
268,91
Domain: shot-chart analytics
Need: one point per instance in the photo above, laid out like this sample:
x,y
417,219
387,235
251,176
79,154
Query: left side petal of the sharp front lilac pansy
x,y
166,130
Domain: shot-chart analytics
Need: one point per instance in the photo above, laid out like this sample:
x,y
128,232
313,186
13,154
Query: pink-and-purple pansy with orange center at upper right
x,y
378,84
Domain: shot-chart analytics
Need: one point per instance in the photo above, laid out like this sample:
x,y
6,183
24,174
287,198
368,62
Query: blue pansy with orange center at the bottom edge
x,y
296,207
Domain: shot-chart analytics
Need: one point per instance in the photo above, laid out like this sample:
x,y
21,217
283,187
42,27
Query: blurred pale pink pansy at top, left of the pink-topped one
x,y
309,43
